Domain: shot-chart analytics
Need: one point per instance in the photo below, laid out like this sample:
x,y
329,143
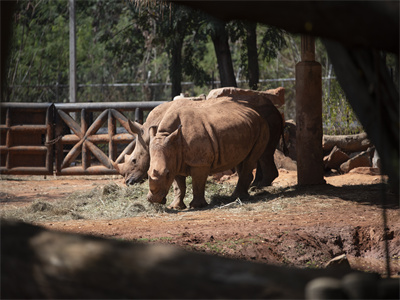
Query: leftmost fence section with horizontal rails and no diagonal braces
x,y
25,132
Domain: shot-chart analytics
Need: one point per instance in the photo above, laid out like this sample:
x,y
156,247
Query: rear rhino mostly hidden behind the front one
x,y
135,167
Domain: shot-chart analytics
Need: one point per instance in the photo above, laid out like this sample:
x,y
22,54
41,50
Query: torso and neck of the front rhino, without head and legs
x,y
219,135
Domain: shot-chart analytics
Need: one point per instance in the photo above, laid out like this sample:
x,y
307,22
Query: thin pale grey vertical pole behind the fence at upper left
x,y
72,52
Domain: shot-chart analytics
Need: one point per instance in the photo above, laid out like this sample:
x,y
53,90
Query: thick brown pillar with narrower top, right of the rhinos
x,y
309,116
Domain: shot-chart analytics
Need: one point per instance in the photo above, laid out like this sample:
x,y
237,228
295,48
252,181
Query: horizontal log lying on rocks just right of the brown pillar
x,y
347,143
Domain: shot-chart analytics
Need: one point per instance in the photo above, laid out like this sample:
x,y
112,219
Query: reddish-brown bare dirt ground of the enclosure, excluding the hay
x,y
298,226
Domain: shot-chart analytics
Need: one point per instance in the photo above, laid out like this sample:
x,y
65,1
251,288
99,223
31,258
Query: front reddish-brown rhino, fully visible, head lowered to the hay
x,y
198,141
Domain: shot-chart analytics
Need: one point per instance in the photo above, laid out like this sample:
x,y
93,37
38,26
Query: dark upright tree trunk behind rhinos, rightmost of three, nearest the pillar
x,y
252,56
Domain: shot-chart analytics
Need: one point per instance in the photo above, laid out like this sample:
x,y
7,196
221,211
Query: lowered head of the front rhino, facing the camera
x,y
164,162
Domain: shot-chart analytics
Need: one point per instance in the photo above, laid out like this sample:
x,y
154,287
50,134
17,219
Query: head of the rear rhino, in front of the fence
x,y
135,167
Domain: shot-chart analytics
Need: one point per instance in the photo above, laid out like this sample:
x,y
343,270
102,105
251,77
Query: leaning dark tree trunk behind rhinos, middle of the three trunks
x,y
223,53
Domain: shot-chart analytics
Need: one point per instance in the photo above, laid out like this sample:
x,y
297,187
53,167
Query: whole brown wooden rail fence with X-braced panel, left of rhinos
x,y
67,138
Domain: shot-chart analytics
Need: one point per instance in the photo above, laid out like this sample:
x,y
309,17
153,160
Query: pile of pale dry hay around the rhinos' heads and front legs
x,y
109,202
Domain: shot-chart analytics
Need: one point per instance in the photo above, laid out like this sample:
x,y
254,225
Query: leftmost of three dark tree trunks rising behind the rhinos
x,y
175,67
